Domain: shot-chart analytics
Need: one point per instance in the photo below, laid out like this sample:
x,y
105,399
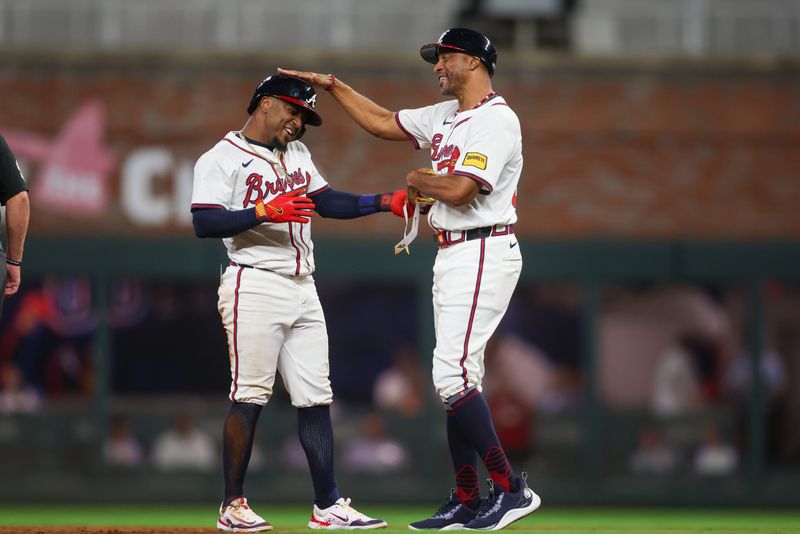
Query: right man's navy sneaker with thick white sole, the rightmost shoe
x,y
503,508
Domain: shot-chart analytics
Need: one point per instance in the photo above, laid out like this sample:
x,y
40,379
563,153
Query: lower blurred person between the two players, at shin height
x,y
373,451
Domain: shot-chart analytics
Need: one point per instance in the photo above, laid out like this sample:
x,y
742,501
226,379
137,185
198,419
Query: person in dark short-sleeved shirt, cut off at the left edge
x,y
14,196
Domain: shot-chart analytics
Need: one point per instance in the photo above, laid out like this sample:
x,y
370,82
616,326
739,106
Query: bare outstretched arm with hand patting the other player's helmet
x,y
375,119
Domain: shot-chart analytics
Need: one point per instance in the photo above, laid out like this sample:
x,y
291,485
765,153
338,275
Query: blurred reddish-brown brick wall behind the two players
x,y
627,151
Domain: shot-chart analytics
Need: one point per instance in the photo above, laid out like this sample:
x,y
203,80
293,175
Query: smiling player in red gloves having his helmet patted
x,y
257,190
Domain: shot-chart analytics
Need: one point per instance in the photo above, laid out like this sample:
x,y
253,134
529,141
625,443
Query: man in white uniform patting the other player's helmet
x,y
476,160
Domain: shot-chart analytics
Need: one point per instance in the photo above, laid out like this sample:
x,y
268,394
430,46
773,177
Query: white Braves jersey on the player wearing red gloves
x,y
234,174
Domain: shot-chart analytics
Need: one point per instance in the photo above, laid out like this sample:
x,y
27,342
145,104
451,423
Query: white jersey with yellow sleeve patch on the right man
x,y
483,144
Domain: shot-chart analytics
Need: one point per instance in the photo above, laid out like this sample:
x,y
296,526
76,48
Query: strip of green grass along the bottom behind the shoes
x,y
293,518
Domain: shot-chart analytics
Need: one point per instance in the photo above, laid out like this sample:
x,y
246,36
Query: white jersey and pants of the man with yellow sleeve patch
x,y
473,278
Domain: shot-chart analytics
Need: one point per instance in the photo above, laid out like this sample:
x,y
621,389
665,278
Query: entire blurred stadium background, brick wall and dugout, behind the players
x,y
652,350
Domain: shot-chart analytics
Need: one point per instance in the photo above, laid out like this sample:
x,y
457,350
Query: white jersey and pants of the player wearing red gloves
x,y
268,301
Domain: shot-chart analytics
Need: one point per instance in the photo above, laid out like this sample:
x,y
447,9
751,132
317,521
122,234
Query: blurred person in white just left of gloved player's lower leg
x,y
184,447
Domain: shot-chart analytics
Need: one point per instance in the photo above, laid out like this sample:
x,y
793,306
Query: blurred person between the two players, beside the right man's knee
x,y
402,387
